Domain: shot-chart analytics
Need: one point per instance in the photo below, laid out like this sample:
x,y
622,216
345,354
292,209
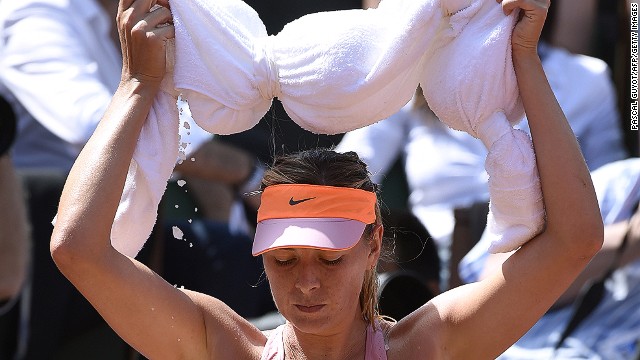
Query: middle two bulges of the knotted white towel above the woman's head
x,y
330,80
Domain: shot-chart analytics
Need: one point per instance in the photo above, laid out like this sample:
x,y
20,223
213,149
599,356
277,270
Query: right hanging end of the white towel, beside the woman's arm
x,y
470,84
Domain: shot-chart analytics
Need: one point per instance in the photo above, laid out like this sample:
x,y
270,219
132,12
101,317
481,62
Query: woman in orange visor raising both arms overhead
x,y
321,284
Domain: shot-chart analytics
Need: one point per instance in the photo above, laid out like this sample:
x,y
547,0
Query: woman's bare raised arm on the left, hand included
x,y
154,317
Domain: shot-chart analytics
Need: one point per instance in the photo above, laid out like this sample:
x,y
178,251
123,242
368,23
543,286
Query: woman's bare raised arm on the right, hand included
x,y
483,319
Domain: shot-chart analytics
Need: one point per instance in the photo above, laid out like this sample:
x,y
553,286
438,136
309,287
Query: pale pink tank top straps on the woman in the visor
x,y
376,348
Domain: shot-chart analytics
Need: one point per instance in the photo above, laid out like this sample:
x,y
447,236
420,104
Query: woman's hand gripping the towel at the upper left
x,y
144,30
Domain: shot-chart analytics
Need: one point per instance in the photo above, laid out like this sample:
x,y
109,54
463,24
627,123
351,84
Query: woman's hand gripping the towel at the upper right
x,y
529,27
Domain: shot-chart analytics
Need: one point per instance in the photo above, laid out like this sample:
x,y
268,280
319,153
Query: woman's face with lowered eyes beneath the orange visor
x,y
314,289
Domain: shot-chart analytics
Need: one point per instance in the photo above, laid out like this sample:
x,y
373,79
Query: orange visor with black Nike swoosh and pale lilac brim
x,y
312,216
